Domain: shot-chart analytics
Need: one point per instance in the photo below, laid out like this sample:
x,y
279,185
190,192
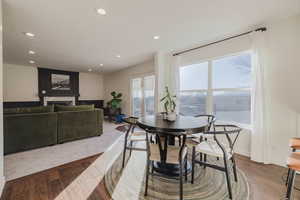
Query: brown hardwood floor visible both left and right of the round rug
x,y
265,182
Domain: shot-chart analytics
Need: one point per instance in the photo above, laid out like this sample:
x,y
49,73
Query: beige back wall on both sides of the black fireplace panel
x,y
20,83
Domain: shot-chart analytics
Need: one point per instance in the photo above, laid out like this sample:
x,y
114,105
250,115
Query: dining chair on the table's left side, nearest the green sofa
x,y
132,137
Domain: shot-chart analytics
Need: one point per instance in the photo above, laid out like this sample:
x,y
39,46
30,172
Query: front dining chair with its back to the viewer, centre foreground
x,y
166,154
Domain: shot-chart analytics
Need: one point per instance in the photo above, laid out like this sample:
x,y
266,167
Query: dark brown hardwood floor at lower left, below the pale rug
x,y
47,185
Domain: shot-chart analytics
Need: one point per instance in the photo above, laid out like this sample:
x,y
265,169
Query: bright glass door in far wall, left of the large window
x,y
142,95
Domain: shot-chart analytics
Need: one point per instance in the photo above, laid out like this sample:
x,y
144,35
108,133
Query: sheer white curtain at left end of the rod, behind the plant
x,y
174,78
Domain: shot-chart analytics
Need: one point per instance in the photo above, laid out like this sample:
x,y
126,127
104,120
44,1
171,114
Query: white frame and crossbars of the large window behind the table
x,y
210,90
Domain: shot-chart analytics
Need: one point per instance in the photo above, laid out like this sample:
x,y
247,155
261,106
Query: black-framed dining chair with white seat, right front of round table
x,y
215,148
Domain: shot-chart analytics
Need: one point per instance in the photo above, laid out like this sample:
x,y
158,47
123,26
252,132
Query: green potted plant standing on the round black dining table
x,y
169,105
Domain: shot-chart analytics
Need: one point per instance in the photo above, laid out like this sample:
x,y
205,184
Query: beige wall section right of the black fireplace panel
x,y
91,86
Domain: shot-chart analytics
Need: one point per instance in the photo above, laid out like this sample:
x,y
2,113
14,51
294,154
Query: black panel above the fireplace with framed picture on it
x,y
58,83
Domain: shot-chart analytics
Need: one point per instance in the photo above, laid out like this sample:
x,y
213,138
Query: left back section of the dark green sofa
x,y
29,131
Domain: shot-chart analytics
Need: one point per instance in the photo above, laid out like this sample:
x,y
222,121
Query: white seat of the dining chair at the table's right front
x,y
212,148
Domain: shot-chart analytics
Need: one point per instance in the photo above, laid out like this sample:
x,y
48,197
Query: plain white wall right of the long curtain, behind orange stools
x,y
283,85
